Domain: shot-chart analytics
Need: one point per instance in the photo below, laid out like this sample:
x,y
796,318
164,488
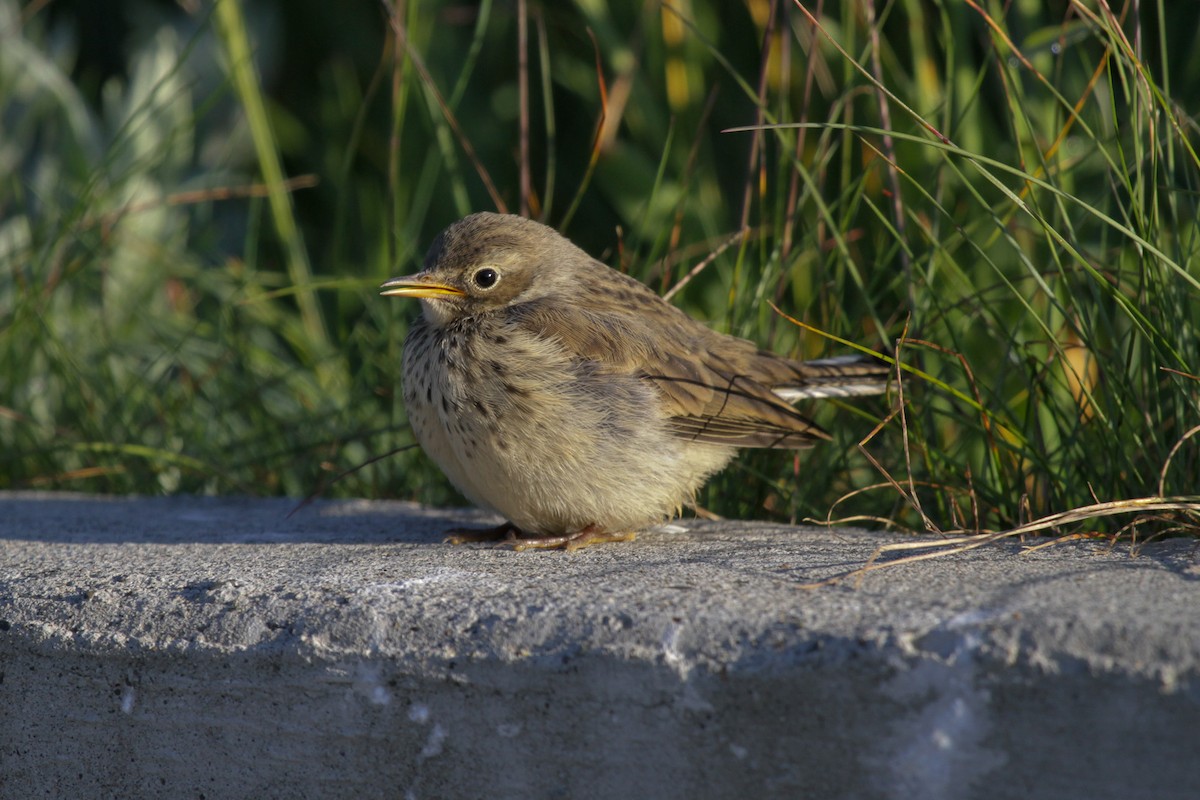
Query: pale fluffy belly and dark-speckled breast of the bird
x,y
549,443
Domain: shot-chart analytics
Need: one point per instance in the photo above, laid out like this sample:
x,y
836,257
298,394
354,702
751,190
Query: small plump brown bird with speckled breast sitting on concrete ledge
x,y
575,402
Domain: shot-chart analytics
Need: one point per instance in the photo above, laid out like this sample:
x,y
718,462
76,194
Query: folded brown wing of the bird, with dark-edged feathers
x,y
707,398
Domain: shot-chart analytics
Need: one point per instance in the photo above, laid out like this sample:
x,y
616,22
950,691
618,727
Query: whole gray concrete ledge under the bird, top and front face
x,y
214,648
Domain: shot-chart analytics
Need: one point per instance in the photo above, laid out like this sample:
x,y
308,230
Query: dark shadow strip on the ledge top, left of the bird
x,y
92,520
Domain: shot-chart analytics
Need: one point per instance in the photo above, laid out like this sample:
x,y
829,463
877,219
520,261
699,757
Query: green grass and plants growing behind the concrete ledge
x,y
200,200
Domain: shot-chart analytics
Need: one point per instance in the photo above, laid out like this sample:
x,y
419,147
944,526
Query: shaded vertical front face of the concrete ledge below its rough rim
x,y
842,719
